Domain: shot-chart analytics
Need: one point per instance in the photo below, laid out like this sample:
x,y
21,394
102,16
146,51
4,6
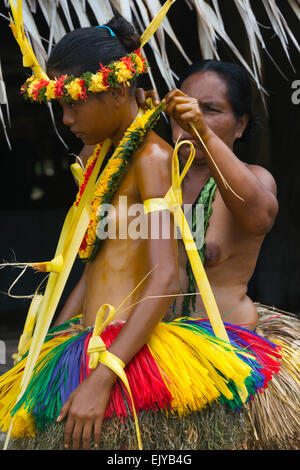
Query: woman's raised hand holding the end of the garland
x,y
185,110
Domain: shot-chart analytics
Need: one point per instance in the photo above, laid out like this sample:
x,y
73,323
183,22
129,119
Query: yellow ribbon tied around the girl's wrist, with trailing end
x,y
98,353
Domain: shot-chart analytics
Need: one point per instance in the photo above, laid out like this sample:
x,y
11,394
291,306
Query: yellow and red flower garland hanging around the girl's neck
x,y
110,176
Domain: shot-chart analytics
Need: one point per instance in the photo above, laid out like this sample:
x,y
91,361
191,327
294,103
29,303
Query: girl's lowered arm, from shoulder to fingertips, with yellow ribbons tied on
x,y
87,404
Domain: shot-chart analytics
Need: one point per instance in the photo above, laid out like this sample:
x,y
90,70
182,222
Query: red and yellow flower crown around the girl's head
x,y
69,88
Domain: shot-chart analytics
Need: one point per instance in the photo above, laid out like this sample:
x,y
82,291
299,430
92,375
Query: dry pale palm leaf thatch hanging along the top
x,y
59,17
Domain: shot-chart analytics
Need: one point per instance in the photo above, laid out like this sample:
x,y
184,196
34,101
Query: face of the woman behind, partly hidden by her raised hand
x,y
210,89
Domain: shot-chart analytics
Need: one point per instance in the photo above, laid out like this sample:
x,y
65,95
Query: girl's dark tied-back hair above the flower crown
x,y
83,49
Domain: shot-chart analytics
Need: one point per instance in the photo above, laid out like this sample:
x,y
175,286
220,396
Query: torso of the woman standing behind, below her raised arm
x,y
230,259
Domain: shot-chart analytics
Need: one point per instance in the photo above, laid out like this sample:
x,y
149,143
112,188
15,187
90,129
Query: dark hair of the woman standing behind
x,y
238,87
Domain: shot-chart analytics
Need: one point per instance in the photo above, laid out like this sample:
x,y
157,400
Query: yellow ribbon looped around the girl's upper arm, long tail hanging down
x,y
173,202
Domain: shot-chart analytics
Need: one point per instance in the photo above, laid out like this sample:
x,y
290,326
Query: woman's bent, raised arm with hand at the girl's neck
x,y
258,207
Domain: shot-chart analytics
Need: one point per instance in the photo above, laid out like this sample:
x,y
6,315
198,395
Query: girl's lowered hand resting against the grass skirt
x,y
85,408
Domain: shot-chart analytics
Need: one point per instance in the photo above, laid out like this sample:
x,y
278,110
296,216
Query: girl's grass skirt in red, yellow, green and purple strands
x,y
181,369
